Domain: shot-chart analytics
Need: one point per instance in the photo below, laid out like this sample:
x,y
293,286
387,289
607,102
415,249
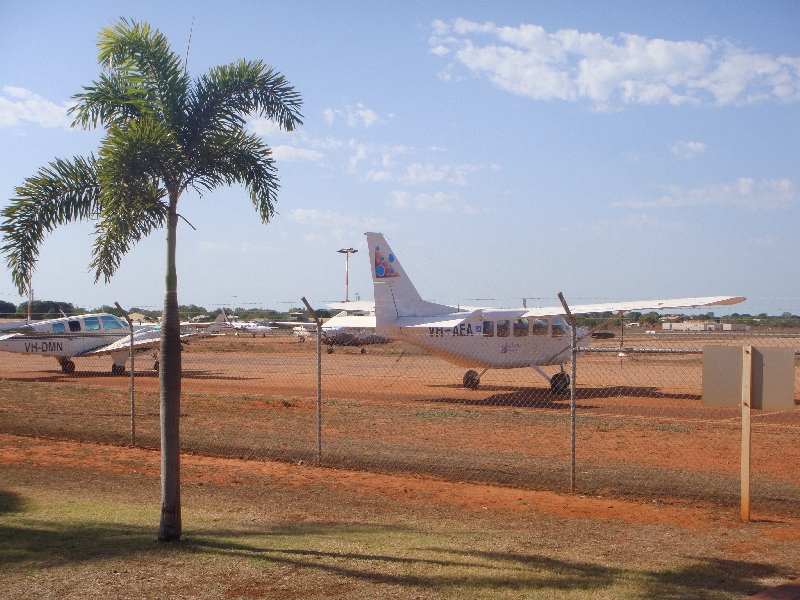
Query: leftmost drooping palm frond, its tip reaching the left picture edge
x,y
62,192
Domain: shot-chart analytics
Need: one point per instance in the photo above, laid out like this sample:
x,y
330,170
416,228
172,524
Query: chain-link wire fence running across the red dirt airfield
x,y
641,430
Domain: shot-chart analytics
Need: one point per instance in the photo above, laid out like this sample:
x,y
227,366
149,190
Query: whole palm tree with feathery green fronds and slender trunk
x,y
164,133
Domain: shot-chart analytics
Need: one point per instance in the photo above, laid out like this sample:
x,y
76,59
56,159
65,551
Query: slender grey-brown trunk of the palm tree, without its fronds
x,y
170,387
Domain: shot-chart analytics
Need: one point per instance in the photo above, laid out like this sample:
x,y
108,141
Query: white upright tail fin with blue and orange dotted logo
x,y
395,295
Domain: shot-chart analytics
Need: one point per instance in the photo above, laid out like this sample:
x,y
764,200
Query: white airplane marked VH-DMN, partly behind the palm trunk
x,y
84,335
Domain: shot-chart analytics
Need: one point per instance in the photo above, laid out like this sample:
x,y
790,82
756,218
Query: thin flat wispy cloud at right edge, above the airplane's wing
x,y
744,192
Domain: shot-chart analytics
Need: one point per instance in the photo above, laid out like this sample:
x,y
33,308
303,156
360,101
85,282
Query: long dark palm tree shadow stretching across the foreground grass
x,y
29,544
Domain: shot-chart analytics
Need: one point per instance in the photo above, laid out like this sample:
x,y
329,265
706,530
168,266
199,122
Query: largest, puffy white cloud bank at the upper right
x,y
606,72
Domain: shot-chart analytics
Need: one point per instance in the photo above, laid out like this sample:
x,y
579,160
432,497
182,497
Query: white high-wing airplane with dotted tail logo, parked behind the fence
x,y
489,338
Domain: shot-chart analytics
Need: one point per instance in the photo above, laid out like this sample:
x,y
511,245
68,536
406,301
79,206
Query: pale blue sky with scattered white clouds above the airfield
x,y
507,150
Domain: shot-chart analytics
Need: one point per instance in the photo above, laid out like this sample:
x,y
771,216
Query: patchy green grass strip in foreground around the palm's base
x,y
99,547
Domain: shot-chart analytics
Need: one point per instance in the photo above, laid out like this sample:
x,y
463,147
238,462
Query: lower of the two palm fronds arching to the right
x,y
239,158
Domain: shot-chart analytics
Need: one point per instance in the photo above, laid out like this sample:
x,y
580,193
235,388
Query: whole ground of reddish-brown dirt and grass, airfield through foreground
x,y
425,489
